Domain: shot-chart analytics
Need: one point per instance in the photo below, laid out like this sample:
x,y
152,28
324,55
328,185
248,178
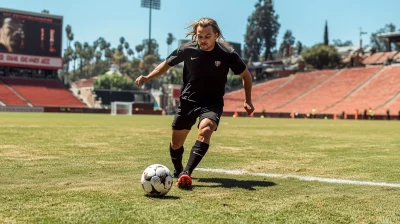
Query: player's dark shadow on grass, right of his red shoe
x,y
233,183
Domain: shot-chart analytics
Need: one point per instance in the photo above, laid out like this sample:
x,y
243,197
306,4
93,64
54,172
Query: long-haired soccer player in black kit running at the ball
x,y
206,65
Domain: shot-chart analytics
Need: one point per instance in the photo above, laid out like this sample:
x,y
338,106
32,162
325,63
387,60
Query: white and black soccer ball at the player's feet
x,y
156,180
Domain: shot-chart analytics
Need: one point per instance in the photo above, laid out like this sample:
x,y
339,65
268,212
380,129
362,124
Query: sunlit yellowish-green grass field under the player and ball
x,y
75,168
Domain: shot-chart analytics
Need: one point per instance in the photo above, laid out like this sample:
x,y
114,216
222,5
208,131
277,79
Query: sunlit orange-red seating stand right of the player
x,y
328,91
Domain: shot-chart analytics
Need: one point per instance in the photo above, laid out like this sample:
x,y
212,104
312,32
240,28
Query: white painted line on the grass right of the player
x,y
305,178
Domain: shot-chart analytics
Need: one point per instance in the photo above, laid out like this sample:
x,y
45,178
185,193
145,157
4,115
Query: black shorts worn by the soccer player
x,y
187,115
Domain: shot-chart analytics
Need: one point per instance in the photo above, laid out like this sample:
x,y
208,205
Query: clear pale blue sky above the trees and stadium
x,y
91,19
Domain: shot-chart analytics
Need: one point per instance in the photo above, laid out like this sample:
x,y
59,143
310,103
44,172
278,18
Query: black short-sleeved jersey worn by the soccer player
x,y
205,72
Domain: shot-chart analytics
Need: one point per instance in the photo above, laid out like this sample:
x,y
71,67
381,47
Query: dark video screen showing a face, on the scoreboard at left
x,y
23,33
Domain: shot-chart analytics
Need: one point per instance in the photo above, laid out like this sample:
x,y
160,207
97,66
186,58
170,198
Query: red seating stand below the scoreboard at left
x,y
43,92
